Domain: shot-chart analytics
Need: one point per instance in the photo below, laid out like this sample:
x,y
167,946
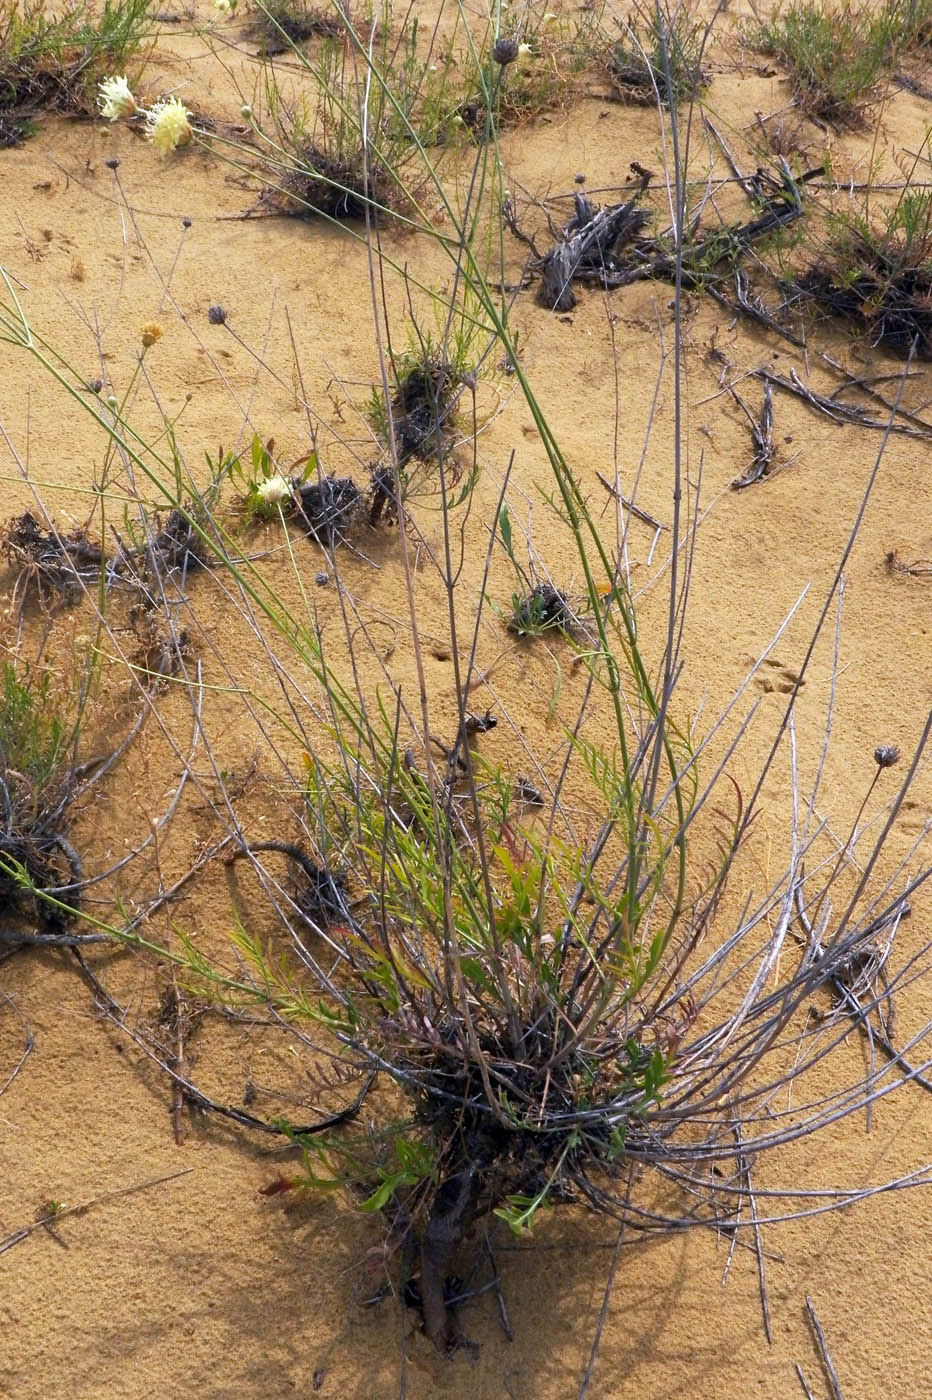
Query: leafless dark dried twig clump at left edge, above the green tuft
x,y
51,565
